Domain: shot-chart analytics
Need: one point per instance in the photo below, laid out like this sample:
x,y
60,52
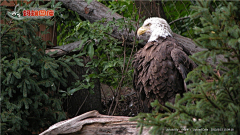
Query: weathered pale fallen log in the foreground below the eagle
x,y
94,123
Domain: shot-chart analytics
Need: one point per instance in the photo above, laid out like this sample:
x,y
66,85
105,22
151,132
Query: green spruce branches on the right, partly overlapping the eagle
x,y
212,107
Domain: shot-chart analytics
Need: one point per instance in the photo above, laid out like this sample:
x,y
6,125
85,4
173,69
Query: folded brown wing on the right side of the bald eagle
x,y
182,62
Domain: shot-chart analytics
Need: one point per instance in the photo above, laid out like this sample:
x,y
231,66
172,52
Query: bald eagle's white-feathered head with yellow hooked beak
x,y
155,27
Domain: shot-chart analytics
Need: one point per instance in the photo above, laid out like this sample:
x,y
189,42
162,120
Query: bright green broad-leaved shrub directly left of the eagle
x,y
114,56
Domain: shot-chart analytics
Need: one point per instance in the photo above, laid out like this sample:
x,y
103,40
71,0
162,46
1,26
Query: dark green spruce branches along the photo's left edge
x,y
30,79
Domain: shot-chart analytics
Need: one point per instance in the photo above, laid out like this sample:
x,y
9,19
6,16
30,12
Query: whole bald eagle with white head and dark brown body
x,y
161,66
